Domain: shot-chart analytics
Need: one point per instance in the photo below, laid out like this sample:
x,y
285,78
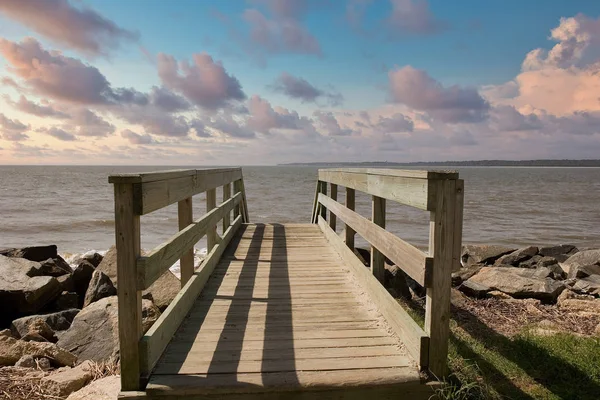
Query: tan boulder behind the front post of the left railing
x,y
163,290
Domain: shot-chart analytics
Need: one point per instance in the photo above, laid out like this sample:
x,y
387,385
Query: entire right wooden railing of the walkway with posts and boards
x,y
440,193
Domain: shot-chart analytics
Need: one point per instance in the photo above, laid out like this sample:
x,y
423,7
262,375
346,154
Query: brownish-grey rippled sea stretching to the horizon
x,y
73,206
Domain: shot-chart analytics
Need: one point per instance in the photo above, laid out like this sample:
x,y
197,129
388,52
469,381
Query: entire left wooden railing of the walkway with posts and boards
x,y
139,194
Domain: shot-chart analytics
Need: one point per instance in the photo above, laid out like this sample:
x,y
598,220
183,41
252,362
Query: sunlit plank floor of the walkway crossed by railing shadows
x,y
281,313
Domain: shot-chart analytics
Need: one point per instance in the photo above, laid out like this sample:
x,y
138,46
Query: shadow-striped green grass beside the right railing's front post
x,y
488,364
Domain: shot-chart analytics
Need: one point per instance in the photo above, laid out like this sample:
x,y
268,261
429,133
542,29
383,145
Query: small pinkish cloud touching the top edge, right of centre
x,y
413,17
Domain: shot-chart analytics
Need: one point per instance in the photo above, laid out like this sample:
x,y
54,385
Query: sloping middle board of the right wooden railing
x,y
412,260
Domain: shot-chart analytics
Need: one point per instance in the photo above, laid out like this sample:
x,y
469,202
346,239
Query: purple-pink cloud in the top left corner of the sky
x,y
81,28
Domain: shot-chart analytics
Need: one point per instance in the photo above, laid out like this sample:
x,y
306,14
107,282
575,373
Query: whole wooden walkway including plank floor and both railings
x,y
283,311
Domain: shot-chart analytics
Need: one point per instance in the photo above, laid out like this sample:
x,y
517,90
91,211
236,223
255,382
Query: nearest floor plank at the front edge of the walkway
x,y
304,380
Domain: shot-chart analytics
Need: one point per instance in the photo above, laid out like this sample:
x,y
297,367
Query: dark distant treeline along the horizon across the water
x,y
479,163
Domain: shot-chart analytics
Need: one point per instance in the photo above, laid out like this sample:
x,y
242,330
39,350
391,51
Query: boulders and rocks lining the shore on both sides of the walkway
x,y
59,318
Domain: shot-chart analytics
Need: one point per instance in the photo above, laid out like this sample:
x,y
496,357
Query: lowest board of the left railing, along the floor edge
x,y
156,339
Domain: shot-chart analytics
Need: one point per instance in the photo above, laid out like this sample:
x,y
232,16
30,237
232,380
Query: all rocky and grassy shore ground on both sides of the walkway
x,y
525,322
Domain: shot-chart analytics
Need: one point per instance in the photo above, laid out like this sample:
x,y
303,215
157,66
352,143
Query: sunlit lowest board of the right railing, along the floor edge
x,y
414,338
